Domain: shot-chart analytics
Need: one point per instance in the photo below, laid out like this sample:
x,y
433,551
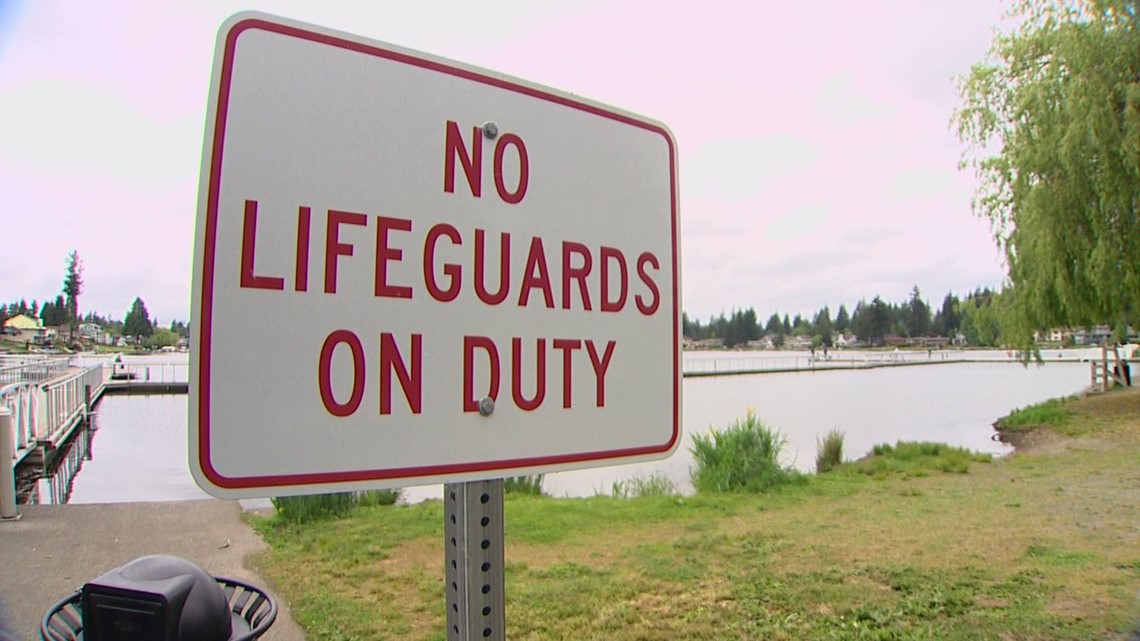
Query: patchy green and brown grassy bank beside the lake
x,y
929,543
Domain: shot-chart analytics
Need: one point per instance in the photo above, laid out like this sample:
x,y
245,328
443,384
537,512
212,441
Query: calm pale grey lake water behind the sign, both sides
x,y
139,450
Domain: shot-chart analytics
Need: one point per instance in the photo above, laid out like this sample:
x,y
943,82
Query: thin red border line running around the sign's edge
x,y
208,277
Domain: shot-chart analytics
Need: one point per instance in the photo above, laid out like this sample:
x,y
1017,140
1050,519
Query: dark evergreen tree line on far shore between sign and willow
x,y
975,318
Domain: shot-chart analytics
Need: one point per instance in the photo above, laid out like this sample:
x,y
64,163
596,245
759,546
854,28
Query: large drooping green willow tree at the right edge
x,y
1052,124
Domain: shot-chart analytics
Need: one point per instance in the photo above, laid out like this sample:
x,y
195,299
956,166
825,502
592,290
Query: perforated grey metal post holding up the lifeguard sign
x,y
474,561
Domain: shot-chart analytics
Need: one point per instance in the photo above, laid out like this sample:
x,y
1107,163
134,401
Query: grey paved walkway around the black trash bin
x,y
55,549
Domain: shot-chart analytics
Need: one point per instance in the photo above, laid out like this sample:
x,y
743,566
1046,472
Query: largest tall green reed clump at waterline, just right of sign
x,y
742,458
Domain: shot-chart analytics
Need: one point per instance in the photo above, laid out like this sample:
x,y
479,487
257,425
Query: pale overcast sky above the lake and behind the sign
x,y
817,160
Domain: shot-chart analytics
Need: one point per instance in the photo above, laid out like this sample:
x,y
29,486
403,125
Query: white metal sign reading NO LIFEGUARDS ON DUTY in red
x,y
411,271
